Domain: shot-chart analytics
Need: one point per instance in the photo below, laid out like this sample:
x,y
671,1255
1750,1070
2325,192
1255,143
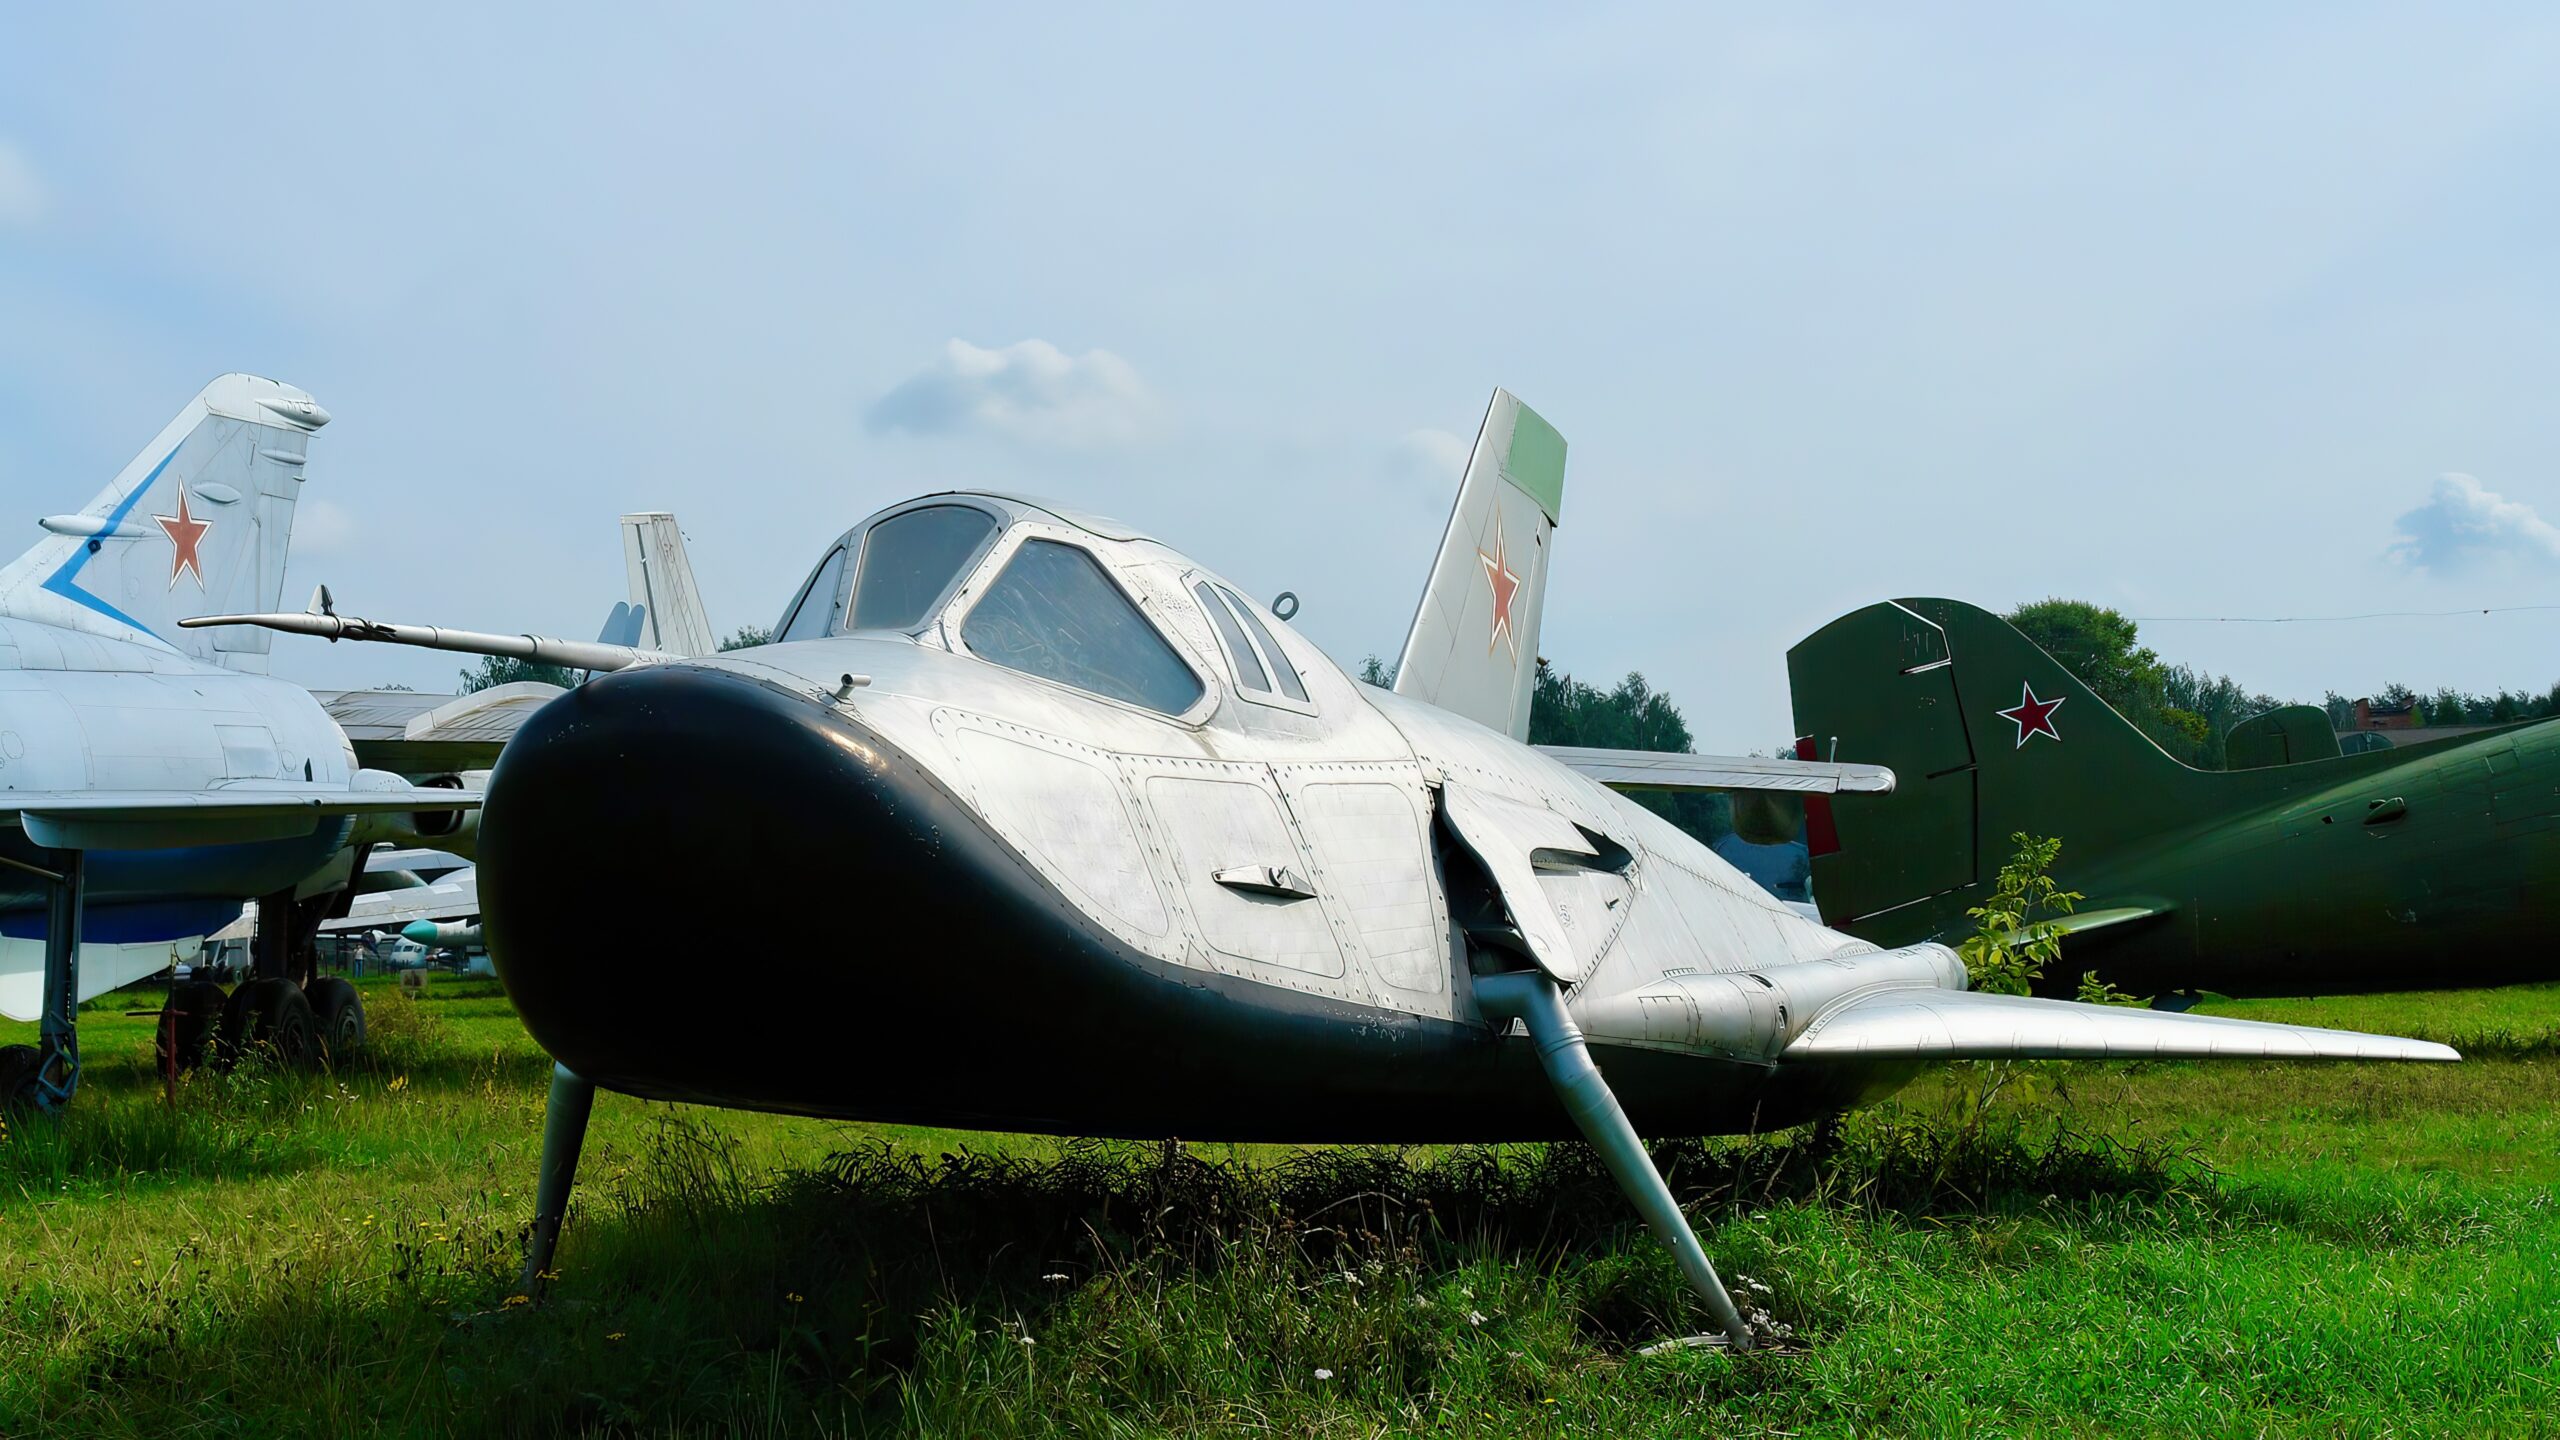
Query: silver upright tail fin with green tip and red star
x,y
1476,639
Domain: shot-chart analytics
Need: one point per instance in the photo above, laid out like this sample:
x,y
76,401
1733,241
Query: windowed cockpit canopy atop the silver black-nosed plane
x,y
1048,609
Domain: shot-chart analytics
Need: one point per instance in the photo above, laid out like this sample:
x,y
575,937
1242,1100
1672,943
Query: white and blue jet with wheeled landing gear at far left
x,y
155,778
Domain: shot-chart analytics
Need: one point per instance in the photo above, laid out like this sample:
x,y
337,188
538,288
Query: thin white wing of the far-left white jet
x,y
170,819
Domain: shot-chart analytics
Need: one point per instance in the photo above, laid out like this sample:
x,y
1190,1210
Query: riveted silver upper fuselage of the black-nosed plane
x,y
1135,814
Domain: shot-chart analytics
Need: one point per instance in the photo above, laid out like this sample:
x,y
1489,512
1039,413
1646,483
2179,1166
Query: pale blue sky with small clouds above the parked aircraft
x,y
2188,314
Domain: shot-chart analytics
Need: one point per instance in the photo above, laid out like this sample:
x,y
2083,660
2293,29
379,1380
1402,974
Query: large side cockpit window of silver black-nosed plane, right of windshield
x,y
1056,614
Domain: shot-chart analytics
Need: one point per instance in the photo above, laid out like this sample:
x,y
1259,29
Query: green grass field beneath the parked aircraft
x,y
2116,1252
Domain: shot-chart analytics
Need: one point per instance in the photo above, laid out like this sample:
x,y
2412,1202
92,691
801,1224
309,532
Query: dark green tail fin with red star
x,y
1988,737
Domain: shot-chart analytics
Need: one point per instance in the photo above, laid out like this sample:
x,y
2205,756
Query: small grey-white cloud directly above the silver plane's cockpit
x,y
1028,393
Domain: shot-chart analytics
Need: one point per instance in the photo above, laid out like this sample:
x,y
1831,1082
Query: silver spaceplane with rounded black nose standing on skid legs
x,y
1107,849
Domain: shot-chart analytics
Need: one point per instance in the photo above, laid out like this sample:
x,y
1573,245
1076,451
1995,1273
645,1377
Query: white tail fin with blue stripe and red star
x,y
198,524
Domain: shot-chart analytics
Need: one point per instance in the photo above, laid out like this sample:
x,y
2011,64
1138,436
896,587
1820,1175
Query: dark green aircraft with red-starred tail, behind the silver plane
x,y
2300,870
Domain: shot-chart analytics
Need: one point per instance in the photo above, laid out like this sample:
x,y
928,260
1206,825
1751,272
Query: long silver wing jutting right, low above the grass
x,y
1970,1026
